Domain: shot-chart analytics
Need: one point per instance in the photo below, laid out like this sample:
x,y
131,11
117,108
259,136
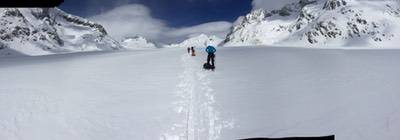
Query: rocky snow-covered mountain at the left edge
x,y
41,31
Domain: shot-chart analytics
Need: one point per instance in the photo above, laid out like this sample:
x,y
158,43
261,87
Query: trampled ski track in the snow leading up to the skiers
x,y
196,106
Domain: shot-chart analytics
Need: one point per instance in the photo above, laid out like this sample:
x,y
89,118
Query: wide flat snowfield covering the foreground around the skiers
x,y
254,92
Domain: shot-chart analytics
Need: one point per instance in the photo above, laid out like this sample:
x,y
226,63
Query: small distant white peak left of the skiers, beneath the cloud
x,y
137,42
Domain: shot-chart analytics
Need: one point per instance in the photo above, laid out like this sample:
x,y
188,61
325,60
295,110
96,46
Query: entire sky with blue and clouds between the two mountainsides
x,y
166,21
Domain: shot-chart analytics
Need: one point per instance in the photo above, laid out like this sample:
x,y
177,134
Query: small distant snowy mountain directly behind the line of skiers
x,y
199,41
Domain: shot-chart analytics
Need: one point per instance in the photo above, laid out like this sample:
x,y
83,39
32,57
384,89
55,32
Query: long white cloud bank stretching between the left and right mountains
x,y
135,19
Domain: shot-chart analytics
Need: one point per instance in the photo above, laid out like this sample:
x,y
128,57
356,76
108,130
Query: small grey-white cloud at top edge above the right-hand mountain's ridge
x,y
270,4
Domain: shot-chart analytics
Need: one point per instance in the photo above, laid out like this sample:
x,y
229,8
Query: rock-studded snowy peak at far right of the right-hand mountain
x,y
353,22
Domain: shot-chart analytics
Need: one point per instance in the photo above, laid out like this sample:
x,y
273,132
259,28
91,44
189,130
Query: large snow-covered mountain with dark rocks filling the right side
x,y
320,23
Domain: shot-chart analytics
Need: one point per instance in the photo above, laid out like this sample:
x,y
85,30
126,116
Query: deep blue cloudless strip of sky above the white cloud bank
x,y
175,13
